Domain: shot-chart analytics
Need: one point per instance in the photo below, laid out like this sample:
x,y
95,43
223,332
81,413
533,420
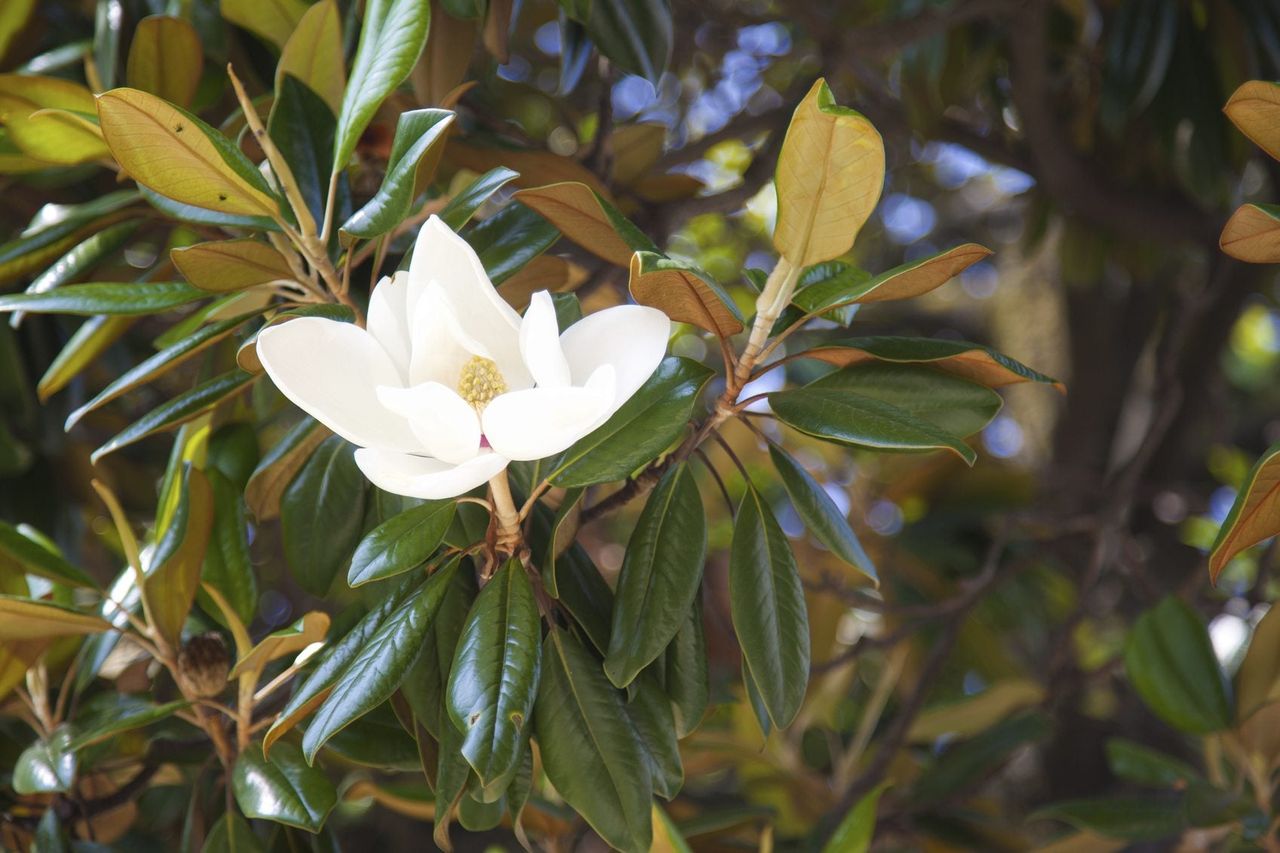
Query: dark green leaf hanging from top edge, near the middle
x,y
637,35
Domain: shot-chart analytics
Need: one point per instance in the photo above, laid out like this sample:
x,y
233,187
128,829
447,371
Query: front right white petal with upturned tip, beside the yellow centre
x,y
540,422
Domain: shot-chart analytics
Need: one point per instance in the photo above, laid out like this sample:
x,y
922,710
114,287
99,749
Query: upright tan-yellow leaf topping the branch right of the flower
x,y
830,176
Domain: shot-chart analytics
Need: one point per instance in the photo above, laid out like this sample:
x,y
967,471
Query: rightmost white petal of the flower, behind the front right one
x,y
633,339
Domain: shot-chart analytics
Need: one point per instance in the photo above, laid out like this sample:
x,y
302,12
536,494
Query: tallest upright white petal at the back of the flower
x,y
447,263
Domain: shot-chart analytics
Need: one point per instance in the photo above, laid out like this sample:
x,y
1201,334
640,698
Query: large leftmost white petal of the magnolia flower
x,y
331,371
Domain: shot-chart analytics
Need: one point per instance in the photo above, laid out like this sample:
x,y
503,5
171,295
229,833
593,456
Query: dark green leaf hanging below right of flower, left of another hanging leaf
x,y
660,577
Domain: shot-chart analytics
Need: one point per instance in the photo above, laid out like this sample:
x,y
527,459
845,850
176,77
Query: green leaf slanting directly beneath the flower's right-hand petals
x,y
644,427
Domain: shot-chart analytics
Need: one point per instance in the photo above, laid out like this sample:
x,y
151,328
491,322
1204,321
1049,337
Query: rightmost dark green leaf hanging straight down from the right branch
x,y
769,609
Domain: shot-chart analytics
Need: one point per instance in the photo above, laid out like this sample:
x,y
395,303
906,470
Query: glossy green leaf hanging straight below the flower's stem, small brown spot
x,y
495,676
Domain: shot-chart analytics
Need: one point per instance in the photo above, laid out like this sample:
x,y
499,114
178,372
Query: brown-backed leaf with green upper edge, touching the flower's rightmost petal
x,y
683,294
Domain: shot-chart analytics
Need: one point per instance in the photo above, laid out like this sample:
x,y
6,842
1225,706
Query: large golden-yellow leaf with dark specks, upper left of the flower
x,y
180,157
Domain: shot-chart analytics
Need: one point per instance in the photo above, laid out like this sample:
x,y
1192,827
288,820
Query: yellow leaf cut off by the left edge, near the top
x,y
48,120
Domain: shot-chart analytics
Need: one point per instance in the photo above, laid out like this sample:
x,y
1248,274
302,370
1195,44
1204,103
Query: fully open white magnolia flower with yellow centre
x,y
450,384
